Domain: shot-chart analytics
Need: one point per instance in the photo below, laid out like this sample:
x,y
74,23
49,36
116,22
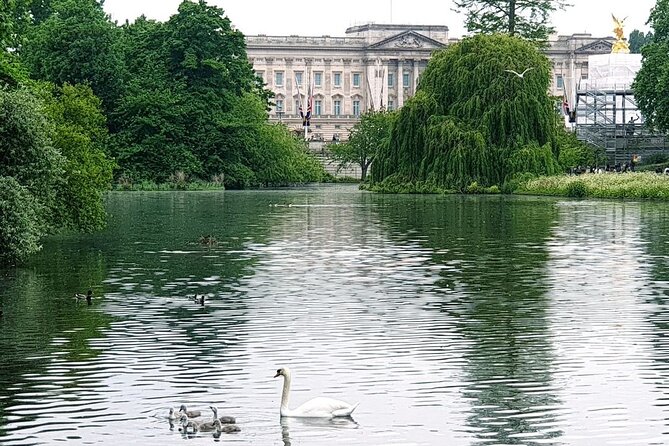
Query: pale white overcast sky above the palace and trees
x,y
315,18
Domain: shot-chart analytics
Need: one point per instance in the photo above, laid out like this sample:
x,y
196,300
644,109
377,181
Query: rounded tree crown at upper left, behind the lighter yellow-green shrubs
x,y
77,44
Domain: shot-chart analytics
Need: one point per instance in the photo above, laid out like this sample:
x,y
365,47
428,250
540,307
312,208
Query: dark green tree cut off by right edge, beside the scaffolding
x,y
651,85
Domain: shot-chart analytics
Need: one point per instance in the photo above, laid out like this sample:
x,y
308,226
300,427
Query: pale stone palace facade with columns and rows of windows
x,y
377,66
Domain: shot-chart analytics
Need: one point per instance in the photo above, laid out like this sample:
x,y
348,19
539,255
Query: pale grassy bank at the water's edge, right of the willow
x,y
641,185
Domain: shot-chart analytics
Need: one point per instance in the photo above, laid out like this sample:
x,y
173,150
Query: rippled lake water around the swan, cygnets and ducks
x,y
459,320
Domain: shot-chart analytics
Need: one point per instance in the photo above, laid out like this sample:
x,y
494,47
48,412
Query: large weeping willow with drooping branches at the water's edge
x,y
474,120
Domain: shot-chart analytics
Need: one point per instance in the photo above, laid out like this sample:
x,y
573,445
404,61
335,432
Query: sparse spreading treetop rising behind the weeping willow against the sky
x,y
524,18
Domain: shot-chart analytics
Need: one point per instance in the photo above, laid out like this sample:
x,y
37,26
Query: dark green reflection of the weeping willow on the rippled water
x,y
494,287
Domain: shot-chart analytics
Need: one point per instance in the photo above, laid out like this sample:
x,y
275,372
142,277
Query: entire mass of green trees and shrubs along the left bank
x,y
80,95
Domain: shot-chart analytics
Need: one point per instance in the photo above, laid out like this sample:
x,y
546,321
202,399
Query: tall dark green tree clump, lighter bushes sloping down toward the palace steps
x,y
194,106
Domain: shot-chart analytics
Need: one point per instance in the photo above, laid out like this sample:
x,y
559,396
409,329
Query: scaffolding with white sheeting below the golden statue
x,y
609,119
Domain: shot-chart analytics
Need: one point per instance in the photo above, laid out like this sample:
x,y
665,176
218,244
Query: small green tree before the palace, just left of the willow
x,y
367,137
